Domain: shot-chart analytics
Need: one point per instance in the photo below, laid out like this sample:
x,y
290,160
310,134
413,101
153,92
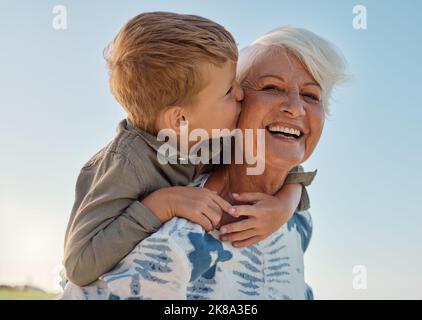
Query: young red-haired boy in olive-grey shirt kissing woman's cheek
x,y
165,68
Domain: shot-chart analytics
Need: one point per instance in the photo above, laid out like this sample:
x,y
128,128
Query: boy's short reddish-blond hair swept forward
x,y
157,60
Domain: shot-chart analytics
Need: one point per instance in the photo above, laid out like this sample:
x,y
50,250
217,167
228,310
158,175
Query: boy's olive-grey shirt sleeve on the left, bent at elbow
x,y
107,220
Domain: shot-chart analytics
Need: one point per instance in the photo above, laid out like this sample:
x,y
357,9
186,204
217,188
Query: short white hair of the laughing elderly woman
x,y
322,59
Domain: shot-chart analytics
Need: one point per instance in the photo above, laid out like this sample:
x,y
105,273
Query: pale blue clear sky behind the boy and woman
x,y
56,111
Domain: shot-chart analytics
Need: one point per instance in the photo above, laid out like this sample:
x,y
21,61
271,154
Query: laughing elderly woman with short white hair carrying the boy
x,y
287,75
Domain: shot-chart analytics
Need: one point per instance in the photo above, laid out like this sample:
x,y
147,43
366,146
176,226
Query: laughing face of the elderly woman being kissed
x,y
284,99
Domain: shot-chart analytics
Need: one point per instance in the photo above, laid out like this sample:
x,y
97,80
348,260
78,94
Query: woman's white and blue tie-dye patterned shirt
x,y
182,261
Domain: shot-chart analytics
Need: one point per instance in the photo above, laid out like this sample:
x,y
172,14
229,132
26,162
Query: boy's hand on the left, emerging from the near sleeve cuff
x,y
199,205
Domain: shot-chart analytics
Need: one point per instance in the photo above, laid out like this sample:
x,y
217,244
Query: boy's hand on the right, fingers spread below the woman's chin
x,y
265,215
